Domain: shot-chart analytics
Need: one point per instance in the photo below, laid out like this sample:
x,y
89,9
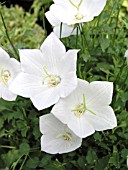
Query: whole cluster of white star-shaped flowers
x,y
48,77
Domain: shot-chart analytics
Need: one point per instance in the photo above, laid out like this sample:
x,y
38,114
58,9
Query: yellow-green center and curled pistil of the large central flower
x,y
51,80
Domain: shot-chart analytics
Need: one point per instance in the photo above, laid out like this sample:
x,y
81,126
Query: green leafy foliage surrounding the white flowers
x,y
103,44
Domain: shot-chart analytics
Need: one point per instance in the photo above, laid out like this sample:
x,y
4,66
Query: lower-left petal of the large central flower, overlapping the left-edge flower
x,y
26,85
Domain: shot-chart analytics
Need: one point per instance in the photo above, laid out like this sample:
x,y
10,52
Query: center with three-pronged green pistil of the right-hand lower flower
x,y
81,108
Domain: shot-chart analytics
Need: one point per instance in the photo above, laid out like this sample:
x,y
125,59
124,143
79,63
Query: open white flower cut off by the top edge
x,y
76,11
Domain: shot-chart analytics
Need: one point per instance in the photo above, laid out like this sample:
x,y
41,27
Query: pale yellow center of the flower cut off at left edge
x,y
4,75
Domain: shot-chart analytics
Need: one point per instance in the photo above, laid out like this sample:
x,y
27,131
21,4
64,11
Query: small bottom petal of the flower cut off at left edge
x,y
8,95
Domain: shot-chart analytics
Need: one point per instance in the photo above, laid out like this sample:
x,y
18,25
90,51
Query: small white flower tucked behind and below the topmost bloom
x,y
66,31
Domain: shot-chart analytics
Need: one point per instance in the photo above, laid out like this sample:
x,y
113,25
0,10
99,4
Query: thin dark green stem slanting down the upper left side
x,y
17,56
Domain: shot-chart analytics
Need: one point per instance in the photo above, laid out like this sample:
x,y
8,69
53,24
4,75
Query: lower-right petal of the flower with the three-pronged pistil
x,y
104,119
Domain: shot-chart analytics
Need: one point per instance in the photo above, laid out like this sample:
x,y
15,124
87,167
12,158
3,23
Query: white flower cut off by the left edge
x,y
9,68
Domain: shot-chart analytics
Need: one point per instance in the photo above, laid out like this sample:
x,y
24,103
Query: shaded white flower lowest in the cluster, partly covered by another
x,y
57,137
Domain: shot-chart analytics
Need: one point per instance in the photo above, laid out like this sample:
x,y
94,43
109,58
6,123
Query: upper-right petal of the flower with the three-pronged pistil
x,y
99,93
